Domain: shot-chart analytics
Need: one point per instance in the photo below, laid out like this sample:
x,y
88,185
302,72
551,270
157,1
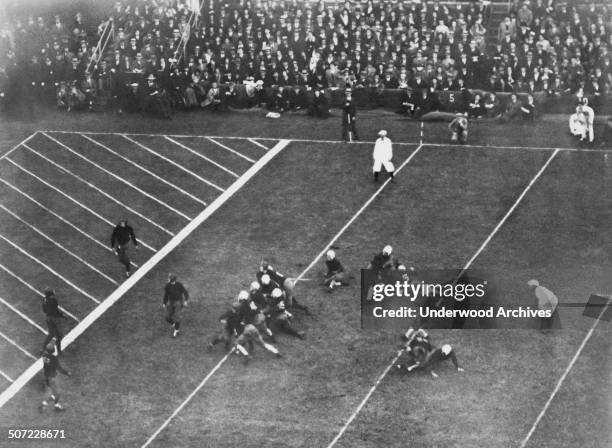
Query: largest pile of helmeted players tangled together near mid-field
x,y
257,315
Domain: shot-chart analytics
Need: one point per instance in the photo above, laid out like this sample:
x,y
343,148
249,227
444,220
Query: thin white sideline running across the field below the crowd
x,y
360,142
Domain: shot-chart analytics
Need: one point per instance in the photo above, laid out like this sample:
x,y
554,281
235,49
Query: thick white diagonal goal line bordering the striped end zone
x,y
31,371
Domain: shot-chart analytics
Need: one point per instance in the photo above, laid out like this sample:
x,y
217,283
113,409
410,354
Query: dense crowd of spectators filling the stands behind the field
x,y
290,54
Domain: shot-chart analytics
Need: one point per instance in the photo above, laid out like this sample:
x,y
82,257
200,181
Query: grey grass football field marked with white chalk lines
x,y
519,212
